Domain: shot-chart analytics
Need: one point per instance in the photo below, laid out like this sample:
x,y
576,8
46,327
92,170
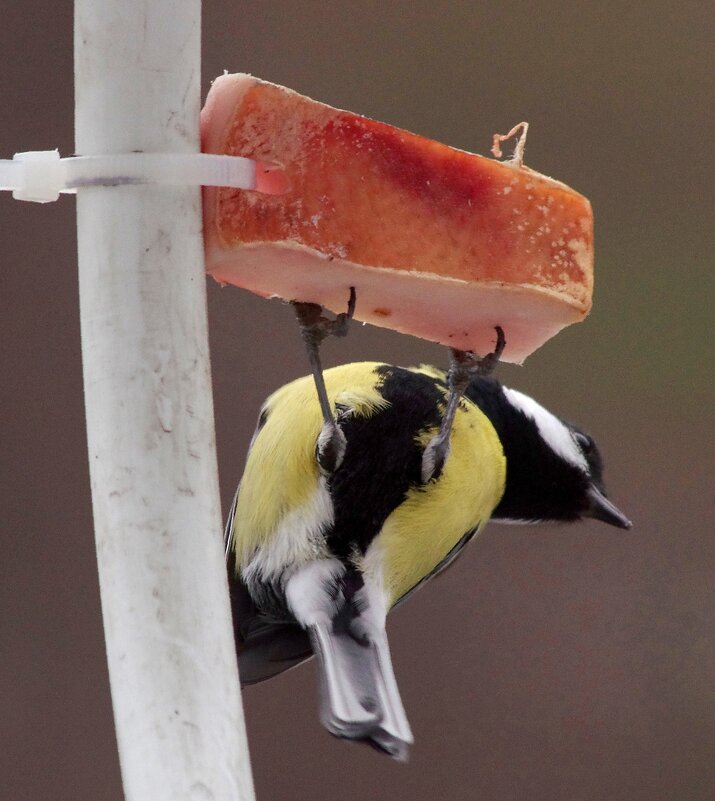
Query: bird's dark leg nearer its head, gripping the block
x,y
463,366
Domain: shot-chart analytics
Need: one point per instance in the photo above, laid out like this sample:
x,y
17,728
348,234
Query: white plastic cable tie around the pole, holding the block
x,y
41,175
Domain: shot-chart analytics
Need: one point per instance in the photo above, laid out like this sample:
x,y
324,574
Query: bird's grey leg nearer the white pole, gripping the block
x,y
314,327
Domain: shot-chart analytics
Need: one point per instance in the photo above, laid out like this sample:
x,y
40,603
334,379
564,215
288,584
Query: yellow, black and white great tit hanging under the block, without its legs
x,y
320,547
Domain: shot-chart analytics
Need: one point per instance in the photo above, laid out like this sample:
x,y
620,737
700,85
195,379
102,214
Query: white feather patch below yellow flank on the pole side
x,y
298,539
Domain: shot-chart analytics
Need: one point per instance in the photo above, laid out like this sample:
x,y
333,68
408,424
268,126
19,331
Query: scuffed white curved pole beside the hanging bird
x,y
150,431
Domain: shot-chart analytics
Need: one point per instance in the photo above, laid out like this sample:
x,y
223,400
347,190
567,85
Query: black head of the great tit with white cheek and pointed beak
x,y
554,470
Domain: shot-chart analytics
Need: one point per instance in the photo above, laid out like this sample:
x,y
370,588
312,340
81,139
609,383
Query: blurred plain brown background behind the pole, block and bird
x,y
549,664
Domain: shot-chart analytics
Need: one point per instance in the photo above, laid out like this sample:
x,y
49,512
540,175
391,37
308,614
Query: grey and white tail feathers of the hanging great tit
x,y
360,699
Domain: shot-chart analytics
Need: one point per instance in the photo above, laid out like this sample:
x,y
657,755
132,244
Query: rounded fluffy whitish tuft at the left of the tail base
x,y
310,591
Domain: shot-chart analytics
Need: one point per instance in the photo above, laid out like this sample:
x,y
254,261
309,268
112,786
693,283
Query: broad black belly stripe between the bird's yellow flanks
x,y
382,458
